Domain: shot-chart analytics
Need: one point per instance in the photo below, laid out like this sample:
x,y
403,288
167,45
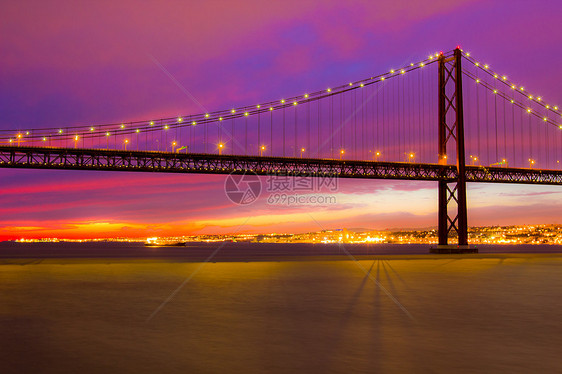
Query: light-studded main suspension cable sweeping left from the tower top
x,y
105,130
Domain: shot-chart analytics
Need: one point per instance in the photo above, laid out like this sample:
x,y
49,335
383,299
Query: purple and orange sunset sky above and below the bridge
x,y
67,63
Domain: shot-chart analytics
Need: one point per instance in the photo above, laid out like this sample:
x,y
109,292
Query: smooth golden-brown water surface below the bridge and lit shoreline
x,y
493,312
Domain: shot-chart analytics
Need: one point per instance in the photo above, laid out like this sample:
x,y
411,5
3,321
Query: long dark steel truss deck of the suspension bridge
x,y
152,161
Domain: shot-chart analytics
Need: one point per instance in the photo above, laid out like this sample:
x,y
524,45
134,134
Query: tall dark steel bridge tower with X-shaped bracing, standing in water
x,y
451,127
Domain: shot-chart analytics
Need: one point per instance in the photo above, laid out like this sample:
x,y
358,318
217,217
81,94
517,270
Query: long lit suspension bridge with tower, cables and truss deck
x,y
448,118
